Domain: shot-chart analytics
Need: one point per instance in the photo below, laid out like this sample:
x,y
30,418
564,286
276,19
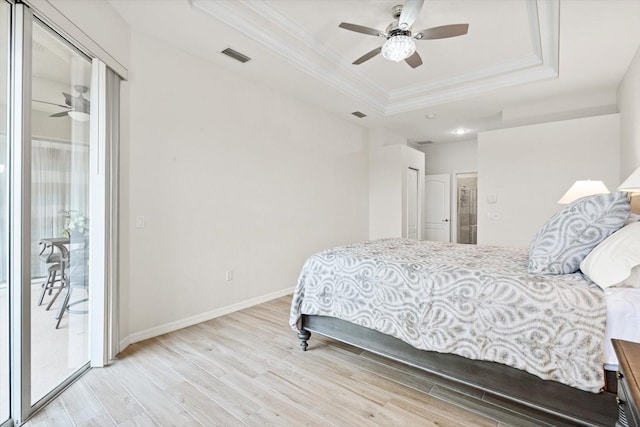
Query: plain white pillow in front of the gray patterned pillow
x,y
612,261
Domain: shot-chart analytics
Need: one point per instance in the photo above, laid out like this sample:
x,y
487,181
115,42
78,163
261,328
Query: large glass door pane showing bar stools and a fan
x,y
60,139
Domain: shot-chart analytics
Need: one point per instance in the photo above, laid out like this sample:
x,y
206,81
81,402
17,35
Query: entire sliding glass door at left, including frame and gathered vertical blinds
x,y
58,235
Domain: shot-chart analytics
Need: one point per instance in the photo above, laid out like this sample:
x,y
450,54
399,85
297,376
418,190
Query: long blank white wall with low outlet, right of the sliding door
x,y
229,175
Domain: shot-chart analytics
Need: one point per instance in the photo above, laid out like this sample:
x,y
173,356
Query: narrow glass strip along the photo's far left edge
x,y
4,213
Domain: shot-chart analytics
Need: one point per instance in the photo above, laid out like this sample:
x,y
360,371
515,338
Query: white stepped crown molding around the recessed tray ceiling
x,y
283,36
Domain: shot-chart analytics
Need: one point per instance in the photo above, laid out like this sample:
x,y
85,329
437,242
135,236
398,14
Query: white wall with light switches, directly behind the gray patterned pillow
x,y
529,168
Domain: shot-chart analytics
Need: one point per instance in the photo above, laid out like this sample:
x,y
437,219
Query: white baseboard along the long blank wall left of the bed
x,y
199,318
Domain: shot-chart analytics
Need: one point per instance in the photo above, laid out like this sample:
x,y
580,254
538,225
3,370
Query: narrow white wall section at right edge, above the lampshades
x,y
629,108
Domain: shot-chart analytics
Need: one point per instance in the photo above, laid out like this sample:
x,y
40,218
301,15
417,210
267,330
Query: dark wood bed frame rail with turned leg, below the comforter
x,y
573,405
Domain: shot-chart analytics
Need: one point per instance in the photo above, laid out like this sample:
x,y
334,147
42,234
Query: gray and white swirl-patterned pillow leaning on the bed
x,y
568,237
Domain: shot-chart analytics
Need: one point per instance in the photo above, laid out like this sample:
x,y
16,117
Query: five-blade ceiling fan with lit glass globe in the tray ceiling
x,y
399,42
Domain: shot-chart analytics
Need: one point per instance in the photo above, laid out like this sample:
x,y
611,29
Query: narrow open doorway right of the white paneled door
x,y
467,208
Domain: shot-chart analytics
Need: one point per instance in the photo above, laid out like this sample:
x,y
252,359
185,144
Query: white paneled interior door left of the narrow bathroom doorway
x,y
437,211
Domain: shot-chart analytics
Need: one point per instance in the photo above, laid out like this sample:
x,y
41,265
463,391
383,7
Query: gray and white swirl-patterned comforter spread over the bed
x,y
475,301
